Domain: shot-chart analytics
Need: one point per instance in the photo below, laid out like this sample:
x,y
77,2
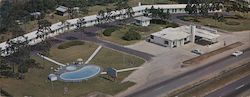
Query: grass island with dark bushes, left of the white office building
x,y
117,35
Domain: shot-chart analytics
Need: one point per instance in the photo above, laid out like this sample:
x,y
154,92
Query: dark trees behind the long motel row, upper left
x,y
15,12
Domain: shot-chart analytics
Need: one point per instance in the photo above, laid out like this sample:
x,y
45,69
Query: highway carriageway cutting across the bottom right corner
x,y
233,89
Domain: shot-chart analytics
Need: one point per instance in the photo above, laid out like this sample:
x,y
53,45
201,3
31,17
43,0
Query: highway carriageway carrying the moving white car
x,y
168,85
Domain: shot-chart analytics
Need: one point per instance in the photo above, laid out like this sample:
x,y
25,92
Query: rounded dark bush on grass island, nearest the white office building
x,y
132,35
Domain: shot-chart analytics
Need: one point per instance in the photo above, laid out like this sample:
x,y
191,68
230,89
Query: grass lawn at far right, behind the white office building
x,y
239,22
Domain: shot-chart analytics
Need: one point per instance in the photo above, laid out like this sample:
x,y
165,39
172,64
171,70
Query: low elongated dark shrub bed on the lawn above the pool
x,y
70,44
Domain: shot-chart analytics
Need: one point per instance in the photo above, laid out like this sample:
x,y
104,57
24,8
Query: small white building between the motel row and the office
x,y
142,21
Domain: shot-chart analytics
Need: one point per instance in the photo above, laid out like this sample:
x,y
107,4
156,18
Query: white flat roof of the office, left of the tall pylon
x,y
172,33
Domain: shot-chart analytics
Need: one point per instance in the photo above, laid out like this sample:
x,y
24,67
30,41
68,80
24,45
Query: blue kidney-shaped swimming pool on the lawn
x,y
84,73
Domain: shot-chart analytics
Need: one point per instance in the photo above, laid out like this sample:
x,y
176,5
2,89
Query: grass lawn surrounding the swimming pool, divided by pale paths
x,y
36,84
